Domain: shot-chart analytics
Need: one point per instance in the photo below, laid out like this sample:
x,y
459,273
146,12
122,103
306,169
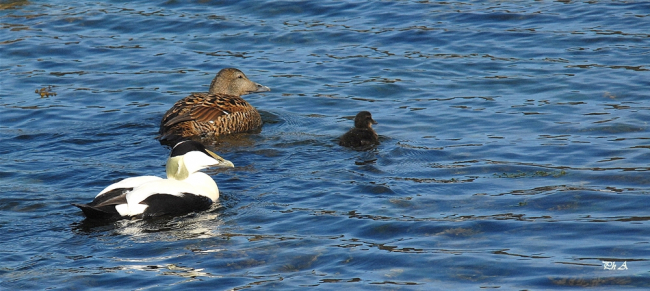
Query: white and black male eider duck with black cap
x,y
185,189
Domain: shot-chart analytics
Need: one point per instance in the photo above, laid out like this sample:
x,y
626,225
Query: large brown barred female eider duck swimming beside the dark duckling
x,y
220,111
